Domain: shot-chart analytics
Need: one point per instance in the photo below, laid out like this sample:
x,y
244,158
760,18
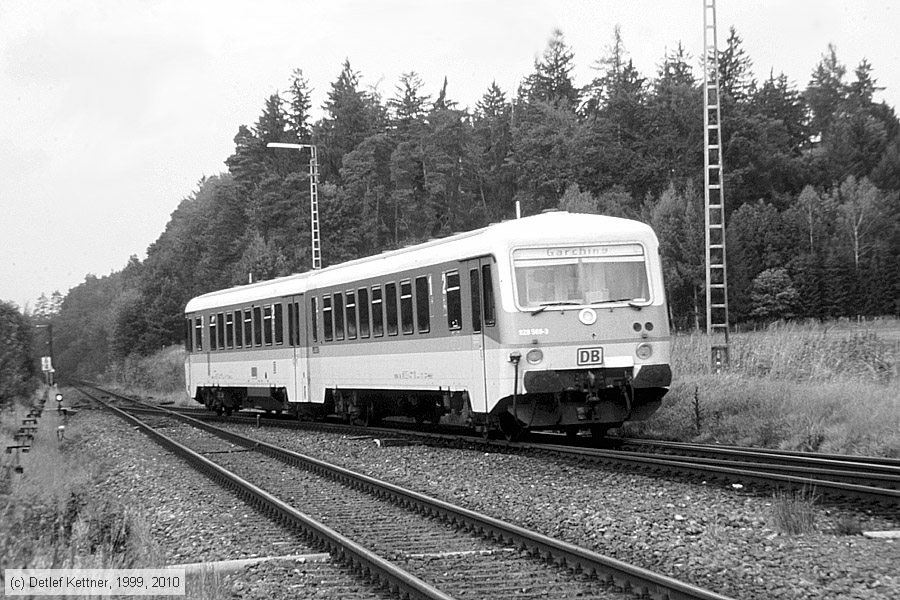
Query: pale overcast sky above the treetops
x,y
111,111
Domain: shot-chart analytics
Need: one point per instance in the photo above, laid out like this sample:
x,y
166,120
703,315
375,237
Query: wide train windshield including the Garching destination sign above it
x,y
580,275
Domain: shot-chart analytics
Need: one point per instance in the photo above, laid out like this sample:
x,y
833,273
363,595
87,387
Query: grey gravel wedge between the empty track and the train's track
x,y
721,539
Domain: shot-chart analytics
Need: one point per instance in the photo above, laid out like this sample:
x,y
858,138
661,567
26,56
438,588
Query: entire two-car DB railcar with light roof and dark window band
x,y
556,321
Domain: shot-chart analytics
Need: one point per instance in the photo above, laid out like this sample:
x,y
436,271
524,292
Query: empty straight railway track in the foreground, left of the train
x,y
416,546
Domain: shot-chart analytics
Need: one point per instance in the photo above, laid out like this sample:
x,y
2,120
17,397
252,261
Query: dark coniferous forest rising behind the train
x,y
812,178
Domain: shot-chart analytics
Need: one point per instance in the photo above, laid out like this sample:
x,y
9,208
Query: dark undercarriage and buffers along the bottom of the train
x,y
568,401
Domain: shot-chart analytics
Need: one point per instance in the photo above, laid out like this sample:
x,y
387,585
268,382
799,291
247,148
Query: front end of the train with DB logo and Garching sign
x,y
586,340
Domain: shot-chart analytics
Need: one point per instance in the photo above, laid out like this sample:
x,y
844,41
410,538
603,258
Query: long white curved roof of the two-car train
x,y
557,227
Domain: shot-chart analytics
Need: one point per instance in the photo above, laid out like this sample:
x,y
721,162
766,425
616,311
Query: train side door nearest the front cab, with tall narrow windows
x,y
479,300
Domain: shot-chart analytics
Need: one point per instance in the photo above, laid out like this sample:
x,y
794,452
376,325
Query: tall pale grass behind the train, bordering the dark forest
x,y
829,387
